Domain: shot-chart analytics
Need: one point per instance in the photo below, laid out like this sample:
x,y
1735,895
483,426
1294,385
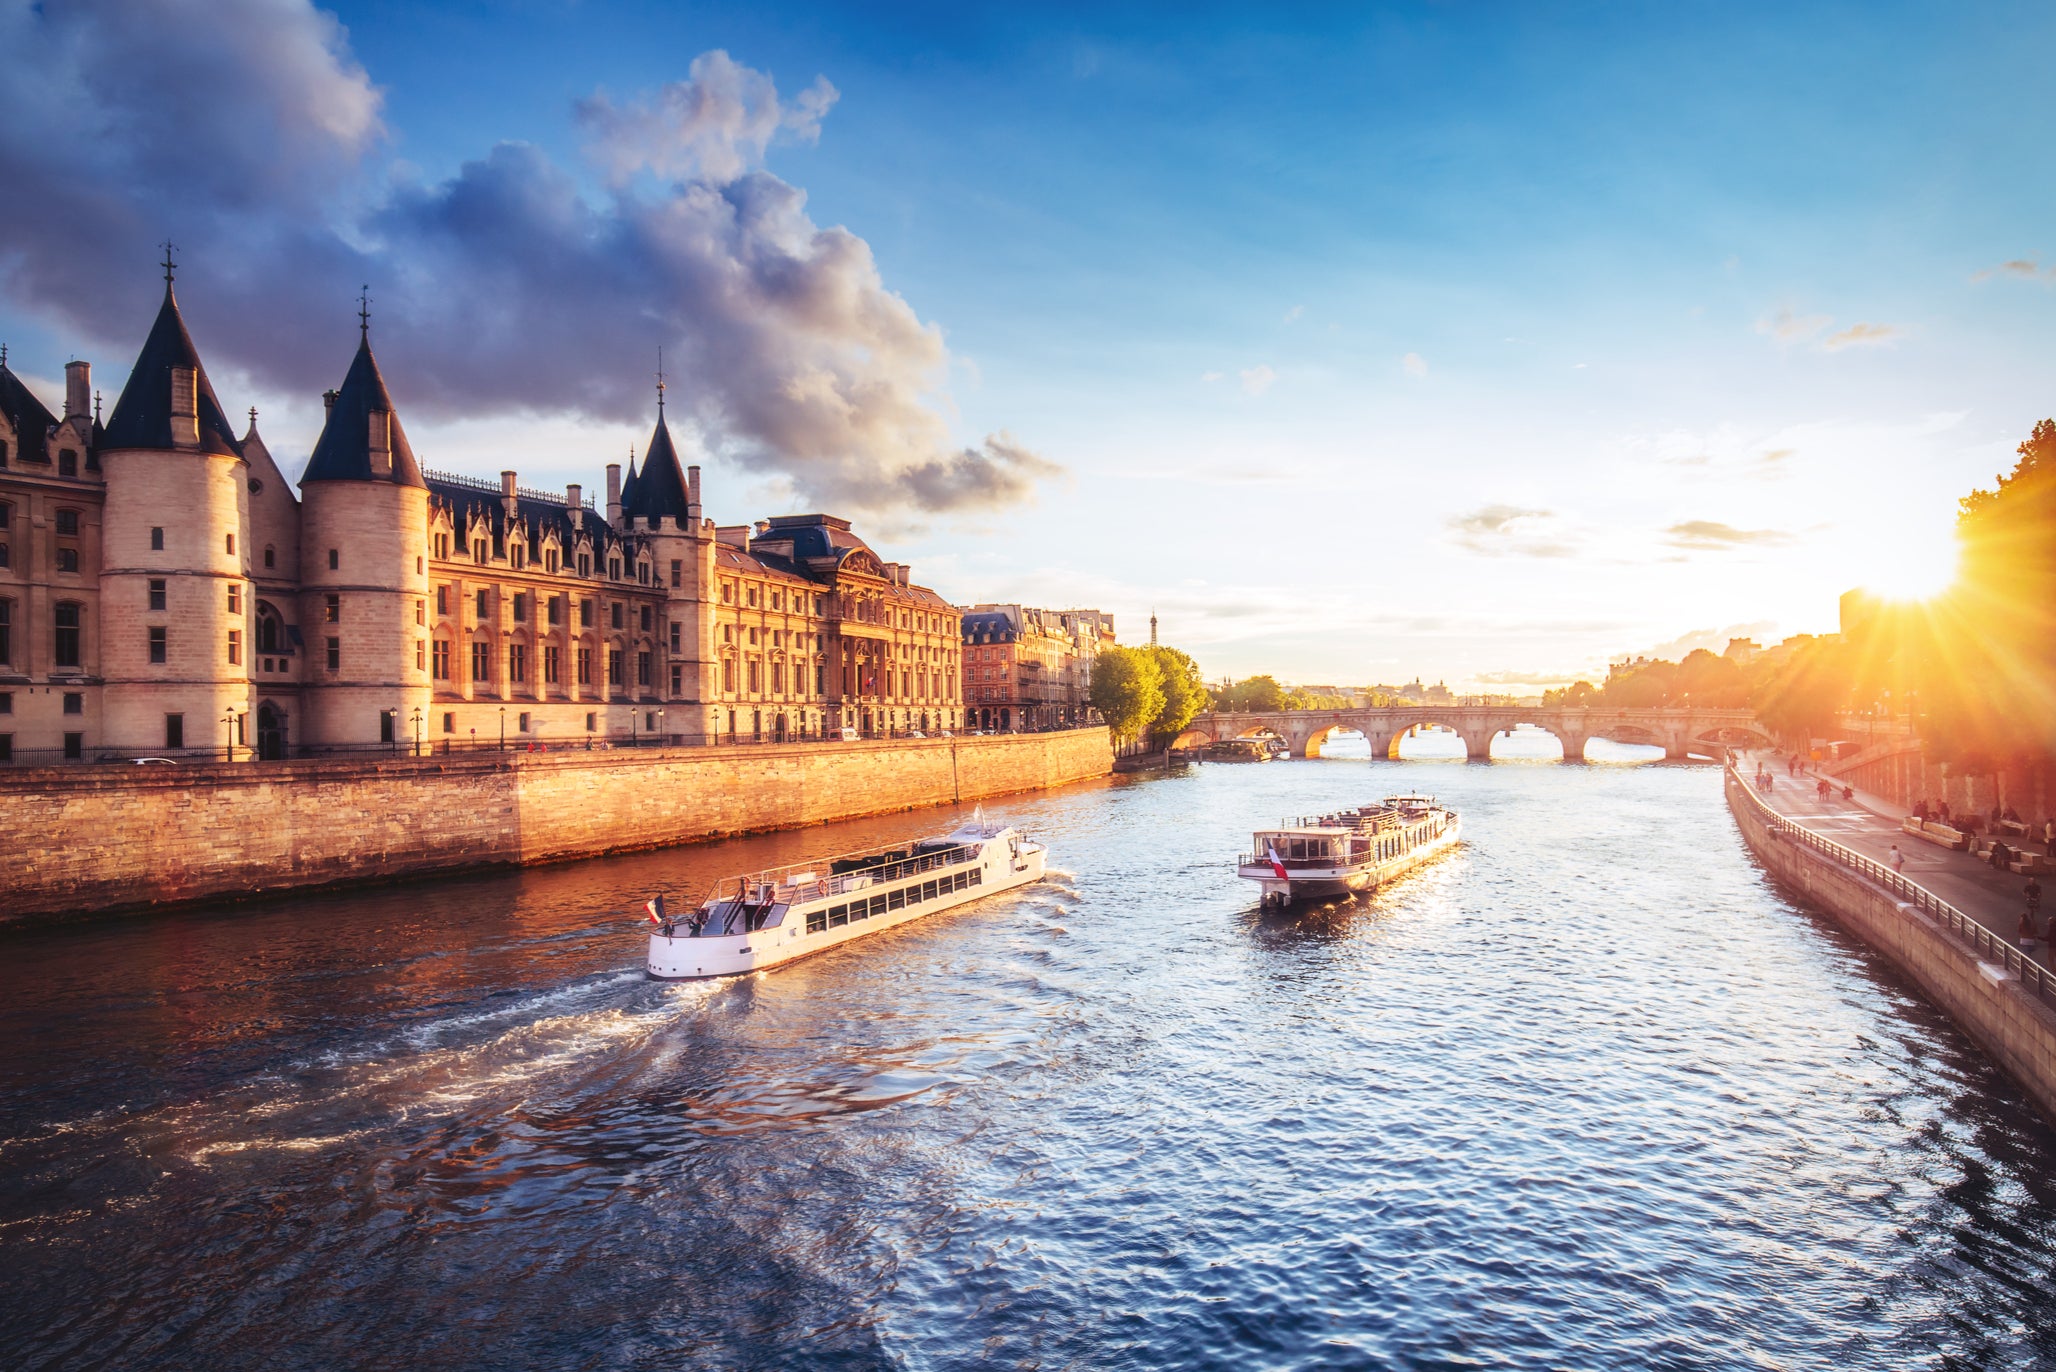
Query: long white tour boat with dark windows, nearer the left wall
x,y
782,914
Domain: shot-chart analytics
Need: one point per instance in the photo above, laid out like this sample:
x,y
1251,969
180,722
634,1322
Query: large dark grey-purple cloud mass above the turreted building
x,y
248,133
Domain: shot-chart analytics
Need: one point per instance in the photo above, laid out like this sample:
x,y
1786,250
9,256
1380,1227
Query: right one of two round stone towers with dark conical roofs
x,y
365,573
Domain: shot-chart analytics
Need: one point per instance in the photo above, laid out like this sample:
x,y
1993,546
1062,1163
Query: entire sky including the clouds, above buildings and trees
x,y
1467,342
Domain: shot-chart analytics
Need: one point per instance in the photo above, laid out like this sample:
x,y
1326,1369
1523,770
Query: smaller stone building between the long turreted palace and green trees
x,y
1031,670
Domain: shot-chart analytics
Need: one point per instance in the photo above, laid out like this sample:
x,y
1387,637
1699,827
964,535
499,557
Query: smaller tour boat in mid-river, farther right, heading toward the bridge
x,y
1350,851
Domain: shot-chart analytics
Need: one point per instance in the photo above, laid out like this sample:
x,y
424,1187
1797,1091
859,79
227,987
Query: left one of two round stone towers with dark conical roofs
x,y
176,589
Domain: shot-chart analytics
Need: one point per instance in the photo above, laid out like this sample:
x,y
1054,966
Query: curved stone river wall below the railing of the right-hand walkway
x,y
1985,1001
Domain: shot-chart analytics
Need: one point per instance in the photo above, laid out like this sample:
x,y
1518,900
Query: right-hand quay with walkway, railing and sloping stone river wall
x,y
1946,920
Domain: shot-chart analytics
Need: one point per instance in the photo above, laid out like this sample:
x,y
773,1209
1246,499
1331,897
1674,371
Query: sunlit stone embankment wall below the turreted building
x,y
108,838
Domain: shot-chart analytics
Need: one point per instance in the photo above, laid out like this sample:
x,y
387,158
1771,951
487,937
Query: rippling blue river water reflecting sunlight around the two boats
x,y
1588,1093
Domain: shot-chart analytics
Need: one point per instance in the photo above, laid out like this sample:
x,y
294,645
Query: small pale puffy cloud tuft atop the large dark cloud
x,y
712,127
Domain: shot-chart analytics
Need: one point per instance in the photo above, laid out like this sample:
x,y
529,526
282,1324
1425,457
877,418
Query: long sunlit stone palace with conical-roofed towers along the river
x,y
166,591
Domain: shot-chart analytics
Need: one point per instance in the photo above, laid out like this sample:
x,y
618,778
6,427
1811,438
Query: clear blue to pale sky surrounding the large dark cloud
x,y
1477,342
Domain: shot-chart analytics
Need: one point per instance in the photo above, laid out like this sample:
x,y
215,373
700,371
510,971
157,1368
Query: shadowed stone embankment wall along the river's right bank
x,y
1995,997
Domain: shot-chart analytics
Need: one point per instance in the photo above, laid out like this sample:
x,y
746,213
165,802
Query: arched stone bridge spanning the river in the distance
x,y
1681,733
